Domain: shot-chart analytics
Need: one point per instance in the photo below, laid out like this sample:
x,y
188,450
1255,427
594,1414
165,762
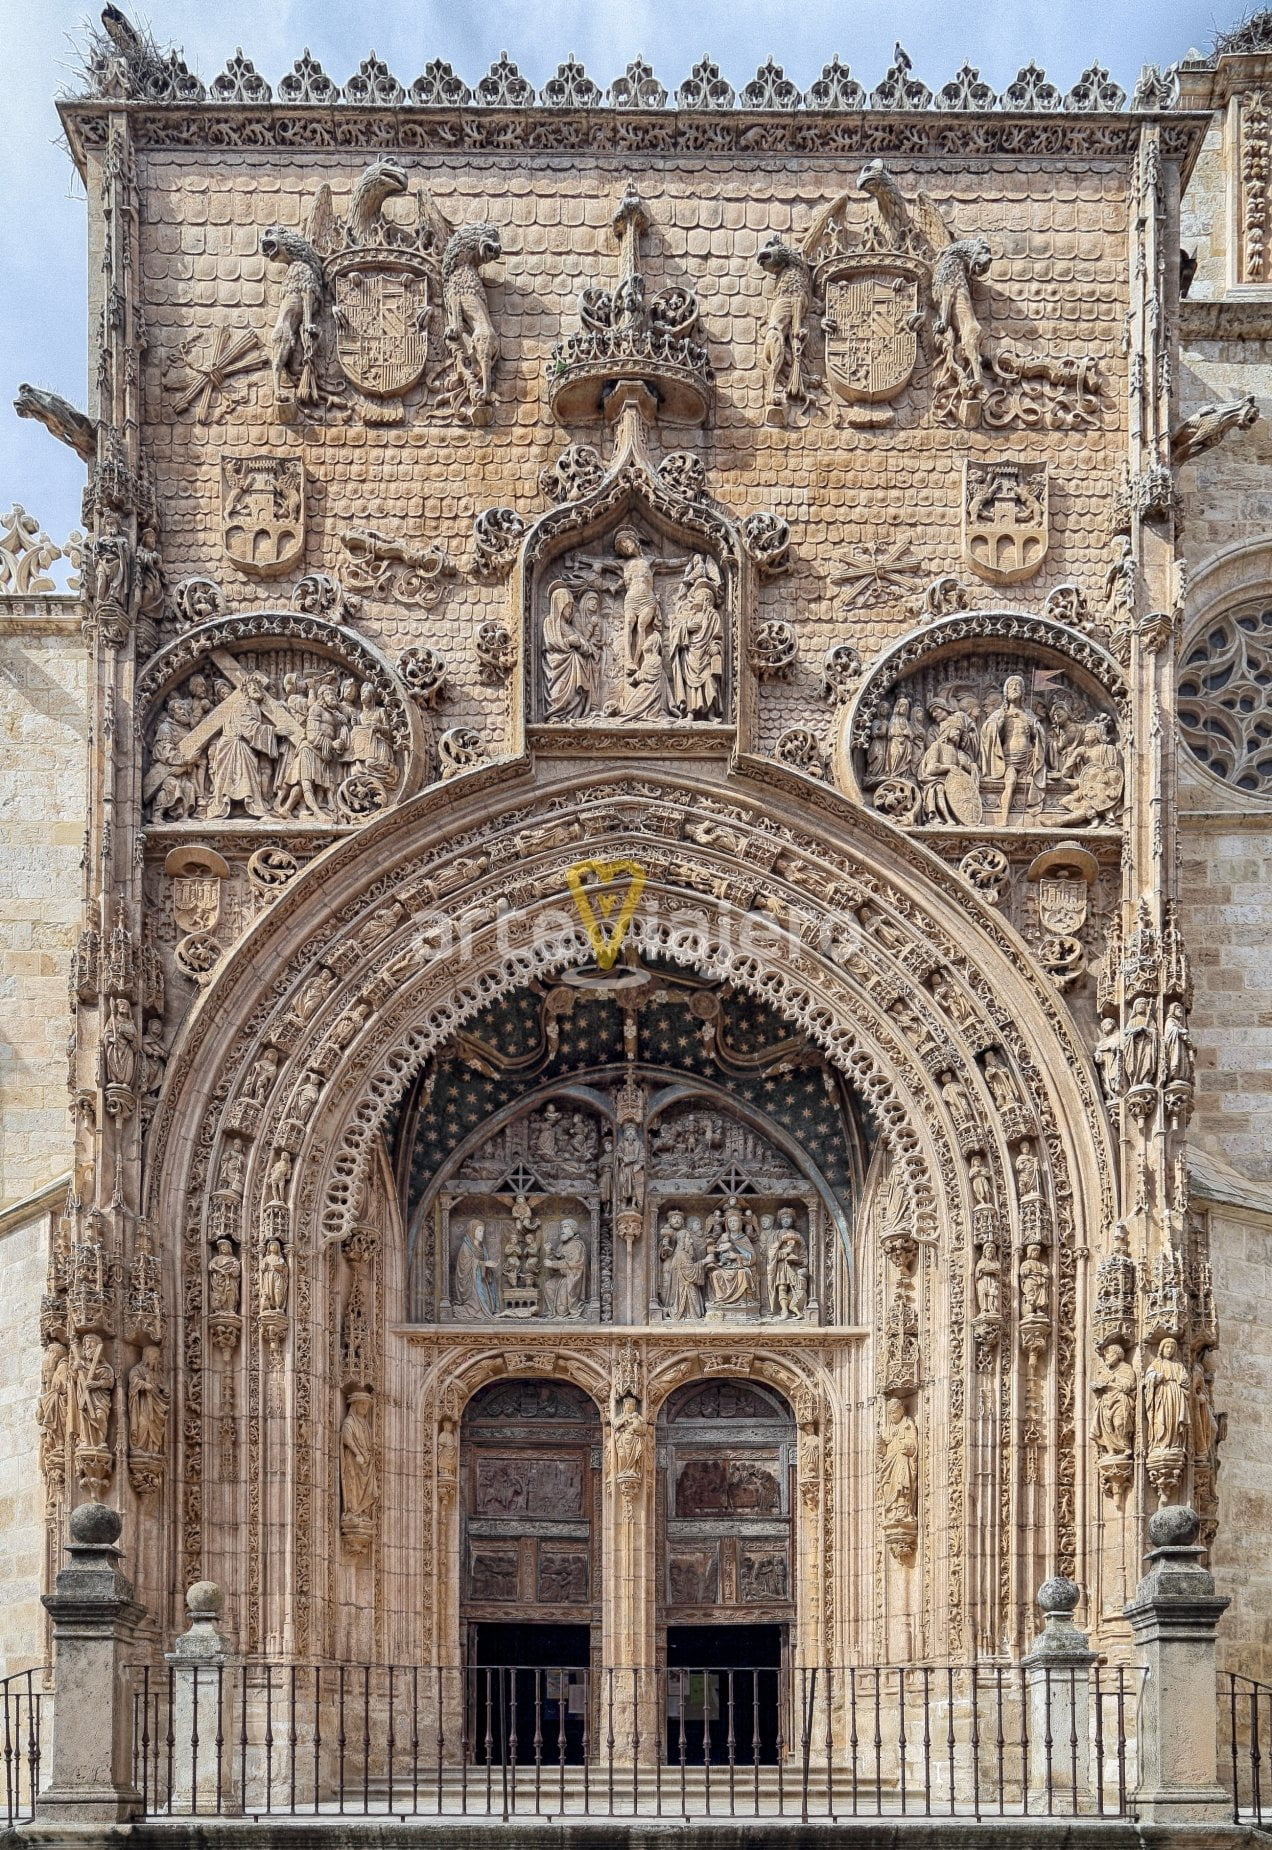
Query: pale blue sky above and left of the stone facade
x,y
42,282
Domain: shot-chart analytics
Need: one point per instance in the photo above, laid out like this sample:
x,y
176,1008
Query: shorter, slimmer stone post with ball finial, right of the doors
x,y
1058,1673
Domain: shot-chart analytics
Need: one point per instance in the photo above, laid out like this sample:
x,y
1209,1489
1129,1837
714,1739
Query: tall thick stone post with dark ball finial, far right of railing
x,y
1173,1616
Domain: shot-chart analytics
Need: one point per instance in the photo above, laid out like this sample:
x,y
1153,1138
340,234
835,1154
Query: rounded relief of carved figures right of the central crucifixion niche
x,y
983,739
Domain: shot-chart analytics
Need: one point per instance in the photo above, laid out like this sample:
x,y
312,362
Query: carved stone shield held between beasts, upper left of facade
x,y
384,304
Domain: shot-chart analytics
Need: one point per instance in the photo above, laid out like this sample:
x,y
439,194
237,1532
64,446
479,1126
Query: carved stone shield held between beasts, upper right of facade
x,y
872,327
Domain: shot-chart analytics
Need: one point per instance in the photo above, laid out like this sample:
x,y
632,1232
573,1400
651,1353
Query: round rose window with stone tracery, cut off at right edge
x,y
1225,706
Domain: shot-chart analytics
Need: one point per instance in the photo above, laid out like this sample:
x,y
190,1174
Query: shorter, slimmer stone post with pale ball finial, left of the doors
x,y
204,1710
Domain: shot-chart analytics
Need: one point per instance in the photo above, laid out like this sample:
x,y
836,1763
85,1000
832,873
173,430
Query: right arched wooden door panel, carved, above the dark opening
x,y
726,1455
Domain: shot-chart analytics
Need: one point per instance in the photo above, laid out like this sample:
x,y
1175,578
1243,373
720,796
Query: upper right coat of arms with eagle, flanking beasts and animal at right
x,y
896,288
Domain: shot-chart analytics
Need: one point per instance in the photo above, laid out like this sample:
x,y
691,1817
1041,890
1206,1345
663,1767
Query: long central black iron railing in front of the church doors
x,y
670,1744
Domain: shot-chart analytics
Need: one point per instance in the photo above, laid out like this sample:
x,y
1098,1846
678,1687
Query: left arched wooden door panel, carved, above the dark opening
x,y
530,1468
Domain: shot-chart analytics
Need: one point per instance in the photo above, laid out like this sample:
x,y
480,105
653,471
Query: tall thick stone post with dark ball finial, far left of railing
x,y
95,1618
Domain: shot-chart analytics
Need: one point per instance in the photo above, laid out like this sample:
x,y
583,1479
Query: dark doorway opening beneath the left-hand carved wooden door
x,y
528,1694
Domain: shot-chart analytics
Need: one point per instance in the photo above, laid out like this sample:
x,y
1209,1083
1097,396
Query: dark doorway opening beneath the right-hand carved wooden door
x,y
724,1696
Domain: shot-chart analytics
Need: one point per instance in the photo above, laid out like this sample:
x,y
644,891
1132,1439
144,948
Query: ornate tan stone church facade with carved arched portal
x,y
668,1002
